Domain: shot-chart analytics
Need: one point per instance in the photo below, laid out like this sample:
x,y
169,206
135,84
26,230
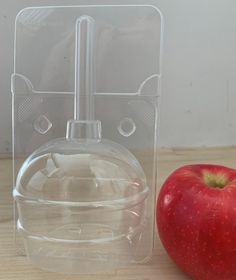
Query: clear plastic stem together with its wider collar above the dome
x,y
84,126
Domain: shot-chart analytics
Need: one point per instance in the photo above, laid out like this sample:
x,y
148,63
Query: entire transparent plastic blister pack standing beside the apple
x,y
86,90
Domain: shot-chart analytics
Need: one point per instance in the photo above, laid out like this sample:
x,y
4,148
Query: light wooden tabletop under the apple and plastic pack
x,y
16,267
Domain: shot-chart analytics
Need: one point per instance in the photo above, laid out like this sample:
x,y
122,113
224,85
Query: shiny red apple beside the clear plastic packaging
x,y
197,221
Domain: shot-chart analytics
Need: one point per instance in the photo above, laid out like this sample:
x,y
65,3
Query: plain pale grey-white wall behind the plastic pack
x,y
199,71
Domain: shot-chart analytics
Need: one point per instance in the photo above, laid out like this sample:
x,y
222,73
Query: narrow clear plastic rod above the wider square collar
x,y
84,69
